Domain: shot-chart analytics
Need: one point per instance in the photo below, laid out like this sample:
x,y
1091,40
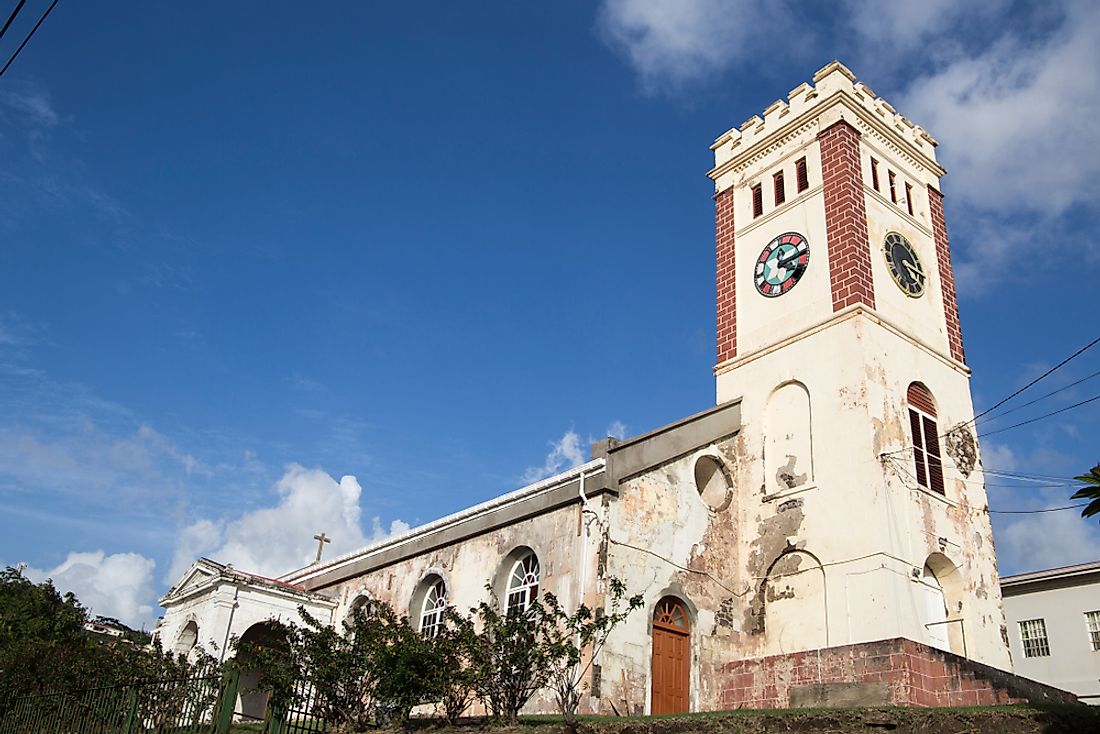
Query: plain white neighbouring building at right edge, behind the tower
x,y
1054,628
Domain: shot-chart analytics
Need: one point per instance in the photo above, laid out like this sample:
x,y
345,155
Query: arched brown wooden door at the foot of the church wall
x,y
672,669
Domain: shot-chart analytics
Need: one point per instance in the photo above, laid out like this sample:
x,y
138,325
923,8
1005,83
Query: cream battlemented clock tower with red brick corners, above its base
x,y
839,331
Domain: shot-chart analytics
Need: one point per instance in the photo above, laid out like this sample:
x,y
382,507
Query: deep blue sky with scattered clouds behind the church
x,y
268,272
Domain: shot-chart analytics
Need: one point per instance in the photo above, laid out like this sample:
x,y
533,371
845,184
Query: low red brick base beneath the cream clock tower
x,y
886,673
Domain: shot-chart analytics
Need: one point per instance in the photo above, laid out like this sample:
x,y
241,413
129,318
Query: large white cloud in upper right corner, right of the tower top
x,y
1020,116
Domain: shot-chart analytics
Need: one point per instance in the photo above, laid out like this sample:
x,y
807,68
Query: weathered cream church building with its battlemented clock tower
x,y
821,535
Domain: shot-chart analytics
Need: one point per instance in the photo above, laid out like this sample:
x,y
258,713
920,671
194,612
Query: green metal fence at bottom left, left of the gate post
x,y
200,705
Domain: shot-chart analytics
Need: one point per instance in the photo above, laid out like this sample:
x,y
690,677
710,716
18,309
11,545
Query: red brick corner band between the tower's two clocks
x,y
850,251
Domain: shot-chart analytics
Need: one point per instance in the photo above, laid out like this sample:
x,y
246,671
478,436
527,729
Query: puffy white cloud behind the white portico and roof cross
x,y
278,540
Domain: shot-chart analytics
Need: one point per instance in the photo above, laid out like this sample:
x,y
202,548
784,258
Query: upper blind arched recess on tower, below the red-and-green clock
x,y
788,451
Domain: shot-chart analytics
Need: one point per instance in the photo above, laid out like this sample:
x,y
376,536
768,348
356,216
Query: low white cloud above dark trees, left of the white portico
x,y
118,586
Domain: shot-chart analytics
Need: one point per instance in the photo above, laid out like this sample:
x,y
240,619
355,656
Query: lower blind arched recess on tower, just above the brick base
x,y
796,604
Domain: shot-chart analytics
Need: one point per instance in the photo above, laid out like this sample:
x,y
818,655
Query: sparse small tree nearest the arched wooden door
x,y
568,636
